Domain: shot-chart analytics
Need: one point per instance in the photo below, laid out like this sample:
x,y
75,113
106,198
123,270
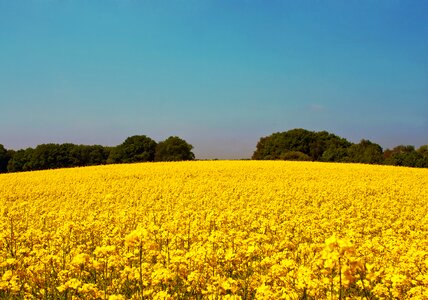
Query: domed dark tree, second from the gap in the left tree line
x,y
137,148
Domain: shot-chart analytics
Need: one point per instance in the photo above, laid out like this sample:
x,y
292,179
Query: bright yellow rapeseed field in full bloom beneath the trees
x,y
215,230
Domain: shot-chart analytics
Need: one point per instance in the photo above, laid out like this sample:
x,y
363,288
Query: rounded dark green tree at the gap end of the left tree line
x,y
174,149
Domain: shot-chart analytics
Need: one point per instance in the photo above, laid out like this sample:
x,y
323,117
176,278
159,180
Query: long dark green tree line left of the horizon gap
x,y
137,148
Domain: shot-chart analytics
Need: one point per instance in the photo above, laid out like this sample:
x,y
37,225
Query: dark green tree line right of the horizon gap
x,y
305,145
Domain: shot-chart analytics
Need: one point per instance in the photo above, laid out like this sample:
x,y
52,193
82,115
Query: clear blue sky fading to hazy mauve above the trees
x,y
220,74
